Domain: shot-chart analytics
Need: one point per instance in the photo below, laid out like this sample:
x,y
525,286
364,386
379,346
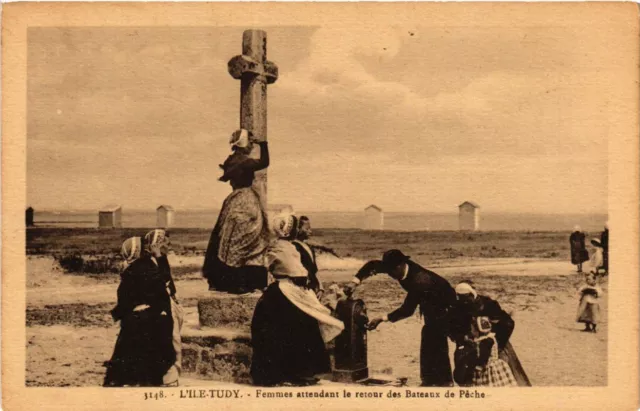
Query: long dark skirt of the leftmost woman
x,y
144,350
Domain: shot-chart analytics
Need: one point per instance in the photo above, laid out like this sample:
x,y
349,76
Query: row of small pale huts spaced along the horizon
x,y
111,216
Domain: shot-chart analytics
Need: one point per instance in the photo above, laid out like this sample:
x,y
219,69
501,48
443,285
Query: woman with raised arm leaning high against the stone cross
x,y
234,261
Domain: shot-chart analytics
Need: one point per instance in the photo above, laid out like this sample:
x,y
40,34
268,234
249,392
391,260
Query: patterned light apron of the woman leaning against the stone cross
x,y
241,229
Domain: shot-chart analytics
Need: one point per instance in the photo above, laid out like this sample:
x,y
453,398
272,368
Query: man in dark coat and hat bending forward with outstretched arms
x,y
435,297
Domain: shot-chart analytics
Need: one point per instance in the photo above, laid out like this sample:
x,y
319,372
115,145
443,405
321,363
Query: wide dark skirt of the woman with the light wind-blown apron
x,y
287,344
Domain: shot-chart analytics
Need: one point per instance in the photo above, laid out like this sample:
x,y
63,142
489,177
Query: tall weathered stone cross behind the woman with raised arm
x,y
254,72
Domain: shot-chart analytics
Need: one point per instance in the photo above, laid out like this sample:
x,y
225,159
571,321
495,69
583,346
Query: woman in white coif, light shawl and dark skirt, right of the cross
x,y
290,326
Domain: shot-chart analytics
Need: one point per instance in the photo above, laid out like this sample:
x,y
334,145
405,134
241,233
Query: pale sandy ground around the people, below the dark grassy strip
x,y
70,333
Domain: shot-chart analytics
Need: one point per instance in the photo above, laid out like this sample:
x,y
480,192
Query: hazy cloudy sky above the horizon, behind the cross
x,y
416,119
